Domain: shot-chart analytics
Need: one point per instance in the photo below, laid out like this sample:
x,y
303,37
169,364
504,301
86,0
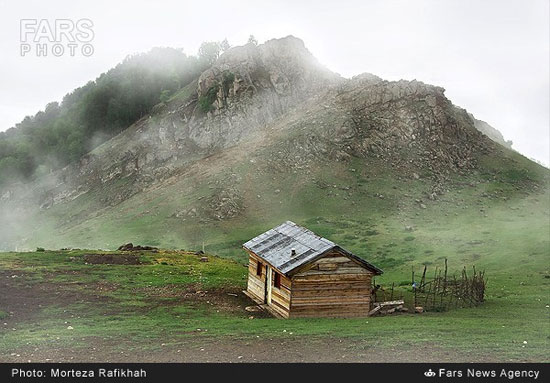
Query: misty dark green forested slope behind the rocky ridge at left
x,y
90,115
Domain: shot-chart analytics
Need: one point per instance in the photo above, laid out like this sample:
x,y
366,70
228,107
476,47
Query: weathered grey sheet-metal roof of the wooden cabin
x,y
275,247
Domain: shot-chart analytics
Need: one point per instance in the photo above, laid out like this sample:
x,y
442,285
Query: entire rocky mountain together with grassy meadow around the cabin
x,y
390,170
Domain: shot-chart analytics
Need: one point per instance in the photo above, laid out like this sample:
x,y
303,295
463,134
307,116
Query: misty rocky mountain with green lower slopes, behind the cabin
x,y
265,133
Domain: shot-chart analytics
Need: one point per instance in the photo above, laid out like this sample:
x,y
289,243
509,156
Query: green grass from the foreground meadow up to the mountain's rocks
x,y
496,218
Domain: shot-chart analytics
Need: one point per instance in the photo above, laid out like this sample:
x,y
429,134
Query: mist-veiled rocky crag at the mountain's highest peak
x,y
251,86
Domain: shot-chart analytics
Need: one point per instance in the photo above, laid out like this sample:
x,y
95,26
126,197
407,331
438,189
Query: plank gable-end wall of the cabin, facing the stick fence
x,y
333,286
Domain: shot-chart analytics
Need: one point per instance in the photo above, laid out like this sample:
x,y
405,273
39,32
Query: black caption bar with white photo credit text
x,y
167,372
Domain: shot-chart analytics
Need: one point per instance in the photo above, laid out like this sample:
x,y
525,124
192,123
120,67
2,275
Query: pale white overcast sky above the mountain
x,y
492,56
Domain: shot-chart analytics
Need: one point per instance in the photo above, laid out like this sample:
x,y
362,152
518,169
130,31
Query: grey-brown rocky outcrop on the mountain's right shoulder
x,y
411,121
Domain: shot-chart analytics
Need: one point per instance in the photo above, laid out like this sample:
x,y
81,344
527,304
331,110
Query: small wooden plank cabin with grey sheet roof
x,y
295,273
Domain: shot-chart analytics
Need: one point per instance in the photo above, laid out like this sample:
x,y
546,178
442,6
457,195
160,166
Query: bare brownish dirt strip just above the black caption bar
x,y
231,350
